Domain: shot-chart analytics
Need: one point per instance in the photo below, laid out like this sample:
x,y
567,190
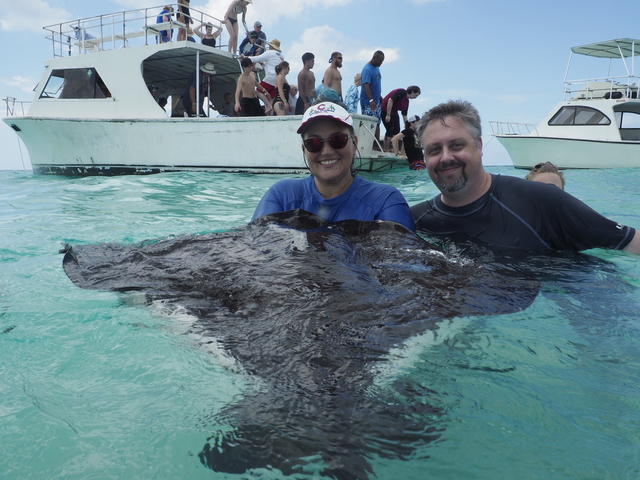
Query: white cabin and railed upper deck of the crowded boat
x,y
91,81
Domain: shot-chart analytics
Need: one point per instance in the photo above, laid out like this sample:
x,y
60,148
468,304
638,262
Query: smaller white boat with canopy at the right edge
x,y
598,124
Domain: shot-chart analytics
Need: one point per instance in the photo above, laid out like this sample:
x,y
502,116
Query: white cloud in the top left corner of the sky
x,y
29,15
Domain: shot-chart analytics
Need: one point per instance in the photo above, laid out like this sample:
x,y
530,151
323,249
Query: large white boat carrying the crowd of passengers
x,y
116,126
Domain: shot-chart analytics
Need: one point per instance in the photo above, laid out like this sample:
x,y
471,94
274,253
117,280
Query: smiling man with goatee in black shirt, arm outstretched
x,y
501,210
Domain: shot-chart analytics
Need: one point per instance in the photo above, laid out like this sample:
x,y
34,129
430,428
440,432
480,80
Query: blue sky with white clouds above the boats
x,y
508,58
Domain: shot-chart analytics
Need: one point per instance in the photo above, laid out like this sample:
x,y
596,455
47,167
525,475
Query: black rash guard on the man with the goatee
x,y
523,214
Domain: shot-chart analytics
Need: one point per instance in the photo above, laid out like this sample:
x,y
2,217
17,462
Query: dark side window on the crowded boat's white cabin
x,y
75,83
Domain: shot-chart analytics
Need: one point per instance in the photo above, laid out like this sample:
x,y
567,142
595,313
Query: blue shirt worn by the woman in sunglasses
x,y
363,200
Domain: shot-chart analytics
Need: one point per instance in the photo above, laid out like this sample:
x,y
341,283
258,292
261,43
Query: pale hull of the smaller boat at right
x,y
527,151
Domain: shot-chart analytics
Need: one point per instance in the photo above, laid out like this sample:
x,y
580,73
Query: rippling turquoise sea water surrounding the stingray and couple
x,y
98,385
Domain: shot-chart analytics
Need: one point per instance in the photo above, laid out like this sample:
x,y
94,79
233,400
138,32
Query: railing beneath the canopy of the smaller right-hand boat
x,y
624,86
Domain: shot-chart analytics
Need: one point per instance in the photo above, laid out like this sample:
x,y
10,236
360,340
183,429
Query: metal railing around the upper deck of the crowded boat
x,y
118,30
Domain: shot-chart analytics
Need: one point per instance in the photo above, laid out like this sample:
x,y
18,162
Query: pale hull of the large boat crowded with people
x,y
145,146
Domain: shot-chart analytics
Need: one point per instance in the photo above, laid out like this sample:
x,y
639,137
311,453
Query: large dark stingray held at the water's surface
x,y
310,310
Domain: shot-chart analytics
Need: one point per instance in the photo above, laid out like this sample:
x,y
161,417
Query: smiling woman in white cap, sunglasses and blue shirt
x,y
333,191
